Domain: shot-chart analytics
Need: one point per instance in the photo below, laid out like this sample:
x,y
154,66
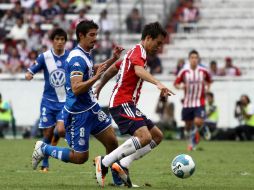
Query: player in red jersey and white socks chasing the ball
x,y
123,104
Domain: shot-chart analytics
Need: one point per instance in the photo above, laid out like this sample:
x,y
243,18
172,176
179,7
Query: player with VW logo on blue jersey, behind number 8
x,y
52,63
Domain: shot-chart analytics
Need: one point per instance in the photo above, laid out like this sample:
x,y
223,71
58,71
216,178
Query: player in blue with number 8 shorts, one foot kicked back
x,y
83,115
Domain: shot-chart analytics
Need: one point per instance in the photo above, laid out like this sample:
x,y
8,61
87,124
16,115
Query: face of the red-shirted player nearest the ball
x,y
154,45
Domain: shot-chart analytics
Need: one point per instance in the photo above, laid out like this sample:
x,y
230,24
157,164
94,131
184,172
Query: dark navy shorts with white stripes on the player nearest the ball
x,y
129,118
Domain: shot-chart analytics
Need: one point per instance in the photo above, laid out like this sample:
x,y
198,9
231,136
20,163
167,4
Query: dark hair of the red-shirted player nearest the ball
x,y
154,30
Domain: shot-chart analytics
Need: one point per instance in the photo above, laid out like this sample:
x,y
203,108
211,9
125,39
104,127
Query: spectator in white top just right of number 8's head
x,y
105,24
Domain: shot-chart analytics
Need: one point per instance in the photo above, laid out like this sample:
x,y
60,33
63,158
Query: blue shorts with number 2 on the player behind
x,y
50,113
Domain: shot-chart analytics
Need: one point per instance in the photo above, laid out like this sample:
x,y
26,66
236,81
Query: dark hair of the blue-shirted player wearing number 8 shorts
x,y
84,26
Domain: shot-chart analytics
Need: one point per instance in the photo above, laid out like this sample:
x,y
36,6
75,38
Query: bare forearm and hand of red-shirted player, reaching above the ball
x,y
143,74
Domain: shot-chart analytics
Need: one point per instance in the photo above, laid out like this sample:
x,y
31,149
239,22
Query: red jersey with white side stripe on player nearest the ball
x,y
128,86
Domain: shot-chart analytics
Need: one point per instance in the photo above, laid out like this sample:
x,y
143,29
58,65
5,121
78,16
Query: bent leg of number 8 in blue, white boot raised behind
x,y
77,137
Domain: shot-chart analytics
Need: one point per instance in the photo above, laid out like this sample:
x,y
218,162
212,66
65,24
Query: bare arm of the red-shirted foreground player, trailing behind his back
x,y
110,73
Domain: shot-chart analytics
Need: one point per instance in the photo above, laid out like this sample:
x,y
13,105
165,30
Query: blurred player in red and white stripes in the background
x,y
195,80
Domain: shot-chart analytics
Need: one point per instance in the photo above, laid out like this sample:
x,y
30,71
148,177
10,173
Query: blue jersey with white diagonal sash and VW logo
x,y
54,74
